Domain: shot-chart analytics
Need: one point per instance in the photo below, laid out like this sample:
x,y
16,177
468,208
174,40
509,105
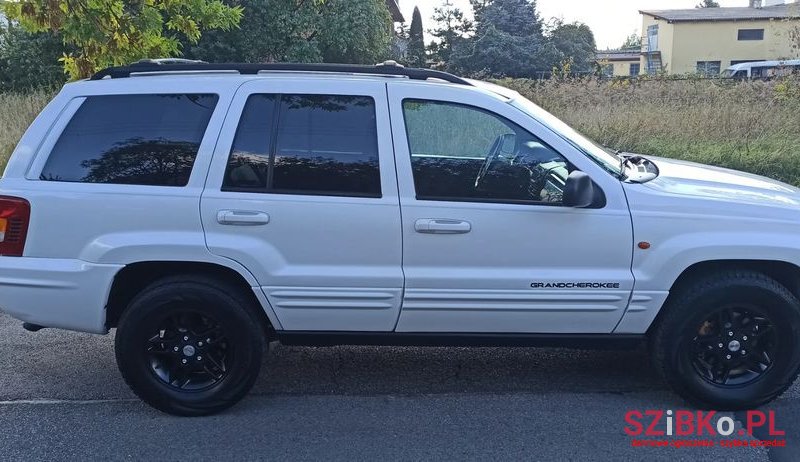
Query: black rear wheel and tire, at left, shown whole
x,y
190,346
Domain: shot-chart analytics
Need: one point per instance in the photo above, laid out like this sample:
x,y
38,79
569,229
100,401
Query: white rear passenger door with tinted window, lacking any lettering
x,y
302,191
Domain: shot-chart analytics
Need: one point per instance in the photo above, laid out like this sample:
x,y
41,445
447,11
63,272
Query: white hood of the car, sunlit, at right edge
x,y
704,181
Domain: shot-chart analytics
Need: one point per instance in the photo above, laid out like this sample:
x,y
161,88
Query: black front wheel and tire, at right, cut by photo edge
x,y
687,339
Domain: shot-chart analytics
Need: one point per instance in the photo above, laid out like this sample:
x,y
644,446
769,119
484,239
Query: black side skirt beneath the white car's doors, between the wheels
x,y
579,341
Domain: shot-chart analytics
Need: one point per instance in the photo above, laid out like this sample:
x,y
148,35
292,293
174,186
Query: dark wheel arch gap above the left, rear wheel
x,y
135,277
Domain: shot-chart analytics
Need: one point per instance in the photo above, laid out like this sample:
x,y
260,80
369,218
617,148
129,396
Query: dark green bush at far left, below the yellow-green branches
x,y
29,60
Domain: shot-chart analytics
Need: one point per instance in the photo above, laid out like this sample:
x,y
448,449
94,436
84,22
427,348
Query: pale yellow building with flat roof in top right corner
x,y
707,40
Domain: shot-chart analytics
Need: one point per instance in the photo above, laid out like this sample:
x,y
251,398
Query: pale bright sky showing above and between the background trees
x,y
611,20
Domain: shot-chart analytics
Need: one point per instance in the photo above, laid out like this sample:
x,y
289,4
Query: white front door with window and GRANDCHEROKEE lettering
x,y
489,246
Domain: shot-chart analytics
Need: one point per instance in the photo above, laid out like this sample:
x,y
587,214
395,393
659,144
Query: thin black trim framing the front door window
x,y
505,120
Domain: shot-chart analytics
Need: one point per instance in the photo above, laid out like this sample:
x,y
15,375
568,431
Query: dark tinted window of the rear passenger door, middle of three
x,y
306,144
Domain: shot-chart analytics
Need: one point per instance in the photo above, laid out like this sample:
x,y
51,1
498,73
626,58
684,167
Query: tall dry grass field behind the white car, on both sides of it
x,y
750,126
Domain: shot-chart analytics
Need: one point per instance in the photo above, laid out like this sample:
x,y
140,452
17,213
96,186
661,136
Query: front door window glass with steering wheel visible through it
x,y
463,153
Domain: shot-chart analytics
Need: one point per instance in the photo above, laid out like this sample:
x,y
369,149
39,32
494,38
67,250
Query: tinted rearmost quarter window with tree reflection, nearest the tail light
x,y
132,139
